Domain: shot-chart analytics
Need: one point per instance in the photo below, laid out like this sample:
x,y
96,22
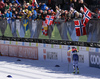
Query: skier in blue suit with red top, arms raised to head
x,y
75,59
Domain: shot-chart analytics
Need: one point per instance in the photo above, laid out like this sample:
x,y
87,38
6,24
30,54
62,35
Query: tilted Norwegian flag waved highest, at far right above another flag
x,y
86,16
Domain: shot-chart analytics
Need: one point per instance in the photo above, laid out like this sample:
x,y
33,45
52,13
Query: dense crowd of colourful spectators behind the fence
x,y
16,10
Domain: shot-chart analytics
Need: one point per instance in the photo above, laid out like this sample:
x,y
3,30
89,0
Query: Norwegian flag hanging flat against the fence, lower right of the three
x,y
80,29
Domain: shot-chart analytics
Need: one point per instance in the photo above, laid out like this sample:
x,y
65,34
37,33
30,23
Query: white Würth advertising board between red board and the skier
x,y
49,54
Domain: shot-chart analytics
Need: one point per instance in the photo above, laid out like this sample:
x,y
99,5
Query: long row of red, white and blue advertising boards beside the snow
x,y
48,52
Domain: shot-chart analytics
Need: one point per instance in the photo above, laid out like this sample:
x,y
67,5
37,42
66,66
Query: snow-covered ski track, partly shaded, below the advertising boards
x,y
33,69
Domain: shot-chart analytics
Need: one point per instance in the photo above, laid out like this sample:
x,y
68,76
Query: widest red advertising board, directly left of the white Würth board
x,y
28,52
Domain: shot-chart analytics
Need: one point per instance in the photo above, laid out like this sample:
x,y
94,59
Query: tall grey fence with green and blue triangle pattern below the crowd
x,y
59,33
